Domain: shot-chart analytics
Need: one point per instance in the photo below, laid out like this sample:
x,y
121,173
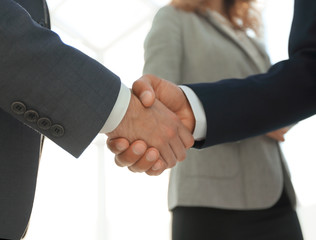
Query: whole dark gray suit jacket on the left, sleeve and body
x,y
46,87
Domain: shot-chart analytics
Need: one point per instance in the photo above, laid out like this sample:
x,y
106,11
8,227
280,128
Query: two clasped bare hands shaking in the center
x,y
156,130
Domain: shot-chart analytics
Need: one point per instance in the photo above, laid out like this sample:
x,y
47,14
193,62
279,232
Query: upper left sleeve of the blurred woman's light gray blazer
x,y
163,46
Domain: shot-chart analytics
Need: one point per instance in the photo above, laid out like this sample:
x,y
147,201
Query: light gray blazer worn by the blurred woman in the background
x,y
187,48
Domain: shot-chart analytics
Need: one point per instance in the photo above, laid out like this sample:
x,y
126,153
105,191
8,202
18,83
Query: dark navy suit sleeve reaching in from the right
x,y
241,108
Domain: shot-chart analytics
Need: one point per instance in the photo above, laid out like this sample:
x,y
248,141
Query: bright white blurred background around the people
x,y
90,197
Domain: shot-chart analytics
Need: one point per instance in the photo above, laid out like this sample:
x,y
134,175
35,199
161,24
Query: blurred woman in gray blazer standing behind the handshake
x,y
239,190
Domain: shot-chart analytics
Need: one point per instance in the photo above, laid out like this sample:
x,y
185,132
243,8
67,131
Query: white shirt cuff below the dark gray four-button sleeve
x,y
118,111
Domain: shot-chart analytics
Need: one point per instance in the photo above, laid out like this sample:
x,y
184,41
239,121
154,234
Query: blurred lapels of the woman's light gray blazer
x,y
229,35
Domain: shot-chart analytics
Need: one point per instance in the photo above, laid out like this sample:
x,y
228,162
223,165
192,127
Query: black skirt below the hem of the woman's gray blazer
x,y
279,222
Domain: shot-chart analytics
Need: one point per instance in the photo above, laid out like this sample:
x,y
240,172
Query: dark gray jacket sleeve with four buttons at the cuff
x,y
51,87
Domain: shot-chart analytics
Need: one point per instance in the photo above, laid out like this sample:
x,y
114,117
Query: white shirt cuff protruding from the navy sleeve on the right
x,y
199,113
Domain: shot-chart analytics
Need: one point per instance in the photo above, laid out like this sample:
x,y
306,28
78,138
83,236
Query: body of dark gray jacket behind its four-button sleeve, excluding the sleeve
x,y
20,148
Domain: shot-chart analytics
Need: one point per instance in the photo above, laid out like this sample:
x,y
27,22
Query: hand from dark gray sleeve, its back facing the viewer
x,y
158,127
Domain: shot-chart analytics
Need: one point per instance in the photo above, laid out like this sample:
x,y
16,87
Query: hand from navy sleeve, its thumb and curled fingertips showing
x,y
137,156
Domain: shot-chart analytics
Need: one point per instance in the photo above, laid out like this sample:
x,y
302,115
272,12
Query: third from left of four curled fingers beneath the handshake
x,y
146,162
